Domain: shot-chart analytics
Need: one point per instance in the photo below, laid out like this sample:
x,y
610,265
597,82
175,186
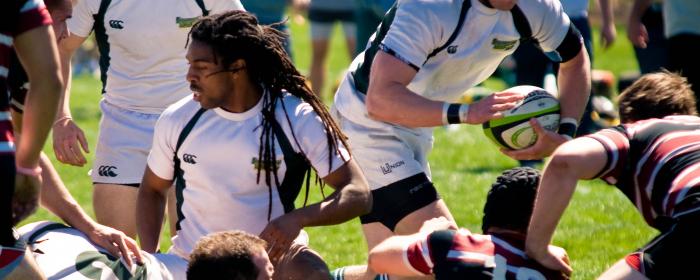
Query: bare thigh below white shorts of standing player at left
x,y
115,206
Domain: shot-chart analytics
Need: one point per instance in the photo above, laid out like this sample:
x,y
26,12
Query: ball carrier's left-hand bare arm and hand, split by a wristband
x,y
389,99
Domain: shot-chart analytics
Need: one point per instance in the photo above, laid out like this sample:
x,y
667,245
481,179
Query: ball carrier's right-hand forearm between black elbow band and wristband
x,y
574,85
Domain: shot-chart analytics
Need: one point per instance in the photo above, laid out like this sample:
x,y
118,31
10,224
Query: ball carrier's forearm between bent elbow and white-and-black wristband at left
x,y
396,104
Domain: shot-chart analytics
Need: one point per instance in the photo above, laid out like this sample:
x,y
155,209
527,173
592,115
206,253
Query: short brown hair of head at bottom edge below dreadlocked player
x,y
225,255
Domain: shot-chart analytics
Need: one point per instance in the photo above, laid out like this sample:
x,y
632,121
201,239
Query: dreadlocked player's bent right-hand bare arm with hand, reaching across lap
x,y
350,199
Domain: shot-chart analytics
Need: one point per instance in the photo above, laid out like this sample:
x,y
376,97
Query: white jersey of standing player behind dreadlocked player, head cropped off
x,y
142,47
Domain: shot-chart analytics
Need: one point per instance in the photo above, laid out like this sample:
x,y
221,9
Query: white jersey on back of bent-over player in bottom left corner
x,y
63,252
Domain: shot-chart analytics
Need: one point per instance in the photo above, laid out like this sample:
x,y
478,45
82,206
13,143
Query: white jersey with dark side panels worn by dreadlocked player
x,y
219,159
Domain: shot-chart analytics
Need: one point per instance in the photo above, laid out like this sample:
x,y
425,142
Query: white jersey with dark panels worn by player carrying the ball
x,y
486,38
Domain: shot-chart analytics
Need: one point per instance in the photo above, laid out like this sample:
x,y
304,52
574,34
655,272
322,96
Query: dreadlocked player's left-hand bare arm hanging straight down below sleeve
x,y
150,205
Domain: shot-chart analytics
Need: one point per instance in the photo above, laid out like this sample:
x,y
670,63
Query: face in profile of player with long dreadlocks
x,y
207,80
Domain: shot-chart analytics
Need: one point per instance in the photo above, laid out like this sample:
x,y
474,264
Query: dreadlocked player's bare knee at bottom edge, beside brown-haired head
x,y
300,262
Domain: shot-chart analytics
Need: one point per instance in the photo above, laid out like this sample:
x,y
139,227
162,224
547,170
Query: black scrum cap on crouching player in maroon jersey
x,y
510,201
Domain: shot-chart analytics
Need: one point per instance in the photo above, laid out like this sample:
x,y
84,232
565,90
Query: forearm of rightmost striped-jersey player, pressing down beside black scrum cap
x,y
553,196
